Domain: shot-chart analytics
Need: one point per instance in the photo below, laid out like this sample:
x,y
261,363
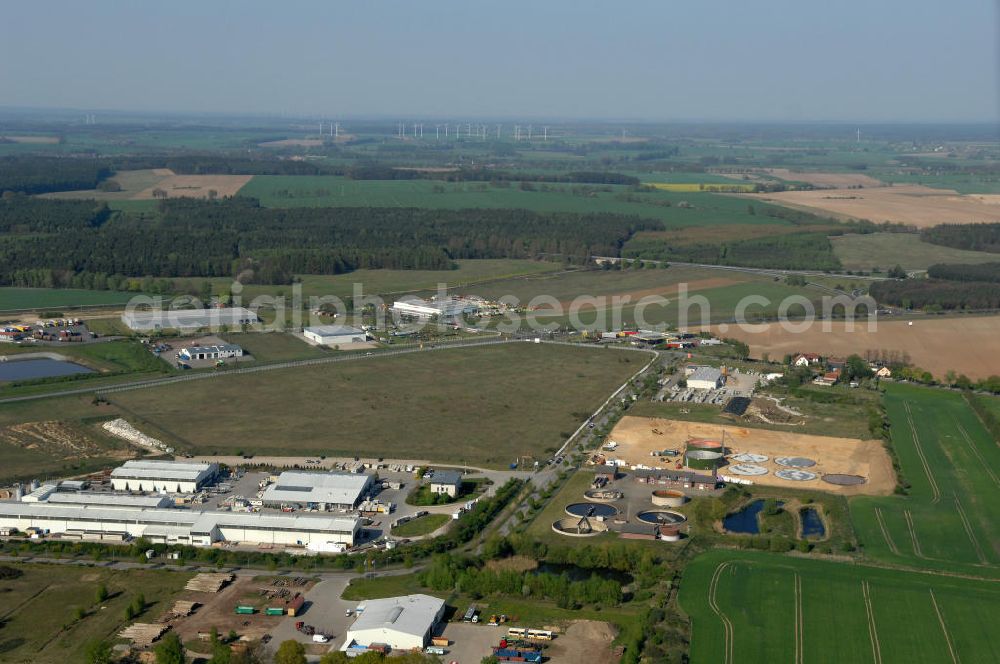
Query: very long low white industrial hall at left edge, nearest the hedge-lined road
x,y
180,526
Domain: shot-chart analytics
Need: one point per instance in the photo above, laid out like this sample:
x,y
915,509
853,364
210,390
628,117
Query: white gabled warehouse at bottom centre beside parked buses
x,y
402,623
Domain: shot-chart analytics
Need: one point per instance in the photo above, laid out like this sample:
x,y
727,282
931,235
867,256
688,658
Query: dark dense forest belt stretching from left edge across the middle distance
x,y
59,243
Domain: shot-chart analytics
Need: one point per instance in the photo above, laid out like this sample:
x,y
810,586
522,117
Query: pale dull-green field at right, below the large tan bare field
x,y
884,250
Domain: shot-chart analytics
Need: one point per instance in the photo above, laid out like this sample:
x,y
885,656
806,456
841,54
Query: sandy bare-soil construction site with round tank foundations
x,y
845,466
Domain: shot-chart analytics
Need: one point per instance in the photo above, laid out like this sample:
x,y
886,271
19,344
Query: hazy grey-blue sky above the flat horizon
x,y
655,60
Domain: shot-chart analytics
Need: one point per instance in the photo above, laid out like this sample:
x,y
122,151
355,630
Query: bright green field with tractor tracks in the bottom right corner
x,y
756,607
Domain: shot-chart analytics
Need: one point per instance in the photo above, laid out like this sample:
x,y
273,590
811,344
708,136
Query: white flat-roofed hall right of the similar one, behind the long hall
x,y
323,490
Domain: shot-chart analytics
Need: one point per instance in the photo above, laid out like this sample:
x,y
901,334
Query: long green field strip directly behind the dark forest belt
x,y
333,191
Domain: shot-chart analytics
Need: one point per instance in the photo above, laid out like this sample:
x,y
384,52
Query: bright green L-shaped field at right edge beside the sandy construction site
x,y
951,518
